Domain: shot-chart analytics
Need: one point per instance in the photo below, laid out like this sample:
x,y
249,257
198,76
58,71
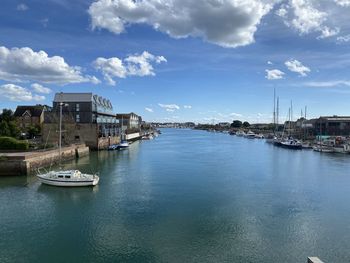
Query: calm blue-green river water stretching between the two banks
x,y
187,196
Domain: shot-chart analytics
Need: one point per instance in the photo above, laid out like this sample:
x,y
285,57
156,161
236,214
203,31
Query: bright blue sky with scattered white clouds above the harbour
x,y
205,61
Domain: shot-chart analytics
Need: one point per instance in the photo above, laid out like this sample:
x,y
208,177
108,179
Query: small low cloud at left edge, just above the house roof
x,y
17,93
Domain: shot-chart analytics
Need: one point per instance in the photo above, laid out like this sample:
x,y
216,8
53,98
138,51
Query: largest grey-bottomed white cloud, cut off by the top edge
x,y
228,23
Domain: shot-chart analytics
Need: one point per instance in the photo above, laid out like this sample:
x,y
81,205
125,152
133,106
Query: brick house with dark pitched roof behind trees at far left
x,y
27,116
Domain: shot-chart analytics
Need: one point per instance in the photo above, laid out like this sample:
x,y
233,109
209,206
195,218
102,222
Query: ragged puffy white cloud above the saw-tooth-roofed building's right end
x,y
134,65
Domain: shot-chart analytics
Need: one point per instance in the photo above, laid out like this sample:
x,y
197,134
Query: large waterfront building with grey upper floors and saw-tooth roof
x,y
87,118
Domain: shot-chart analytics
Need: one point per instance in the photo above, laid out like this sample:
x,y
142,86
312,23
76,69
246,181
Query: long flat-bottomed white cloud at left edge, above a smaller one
x,y
24,64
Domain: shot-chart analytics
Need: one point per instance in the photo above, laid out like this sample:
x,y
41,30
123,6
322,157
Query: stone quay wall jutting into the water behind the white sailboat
x,y
23,163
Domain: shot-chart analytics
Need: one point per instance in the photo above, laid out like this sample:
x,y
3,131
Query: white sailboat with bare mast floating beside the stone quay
x,y
67,178
